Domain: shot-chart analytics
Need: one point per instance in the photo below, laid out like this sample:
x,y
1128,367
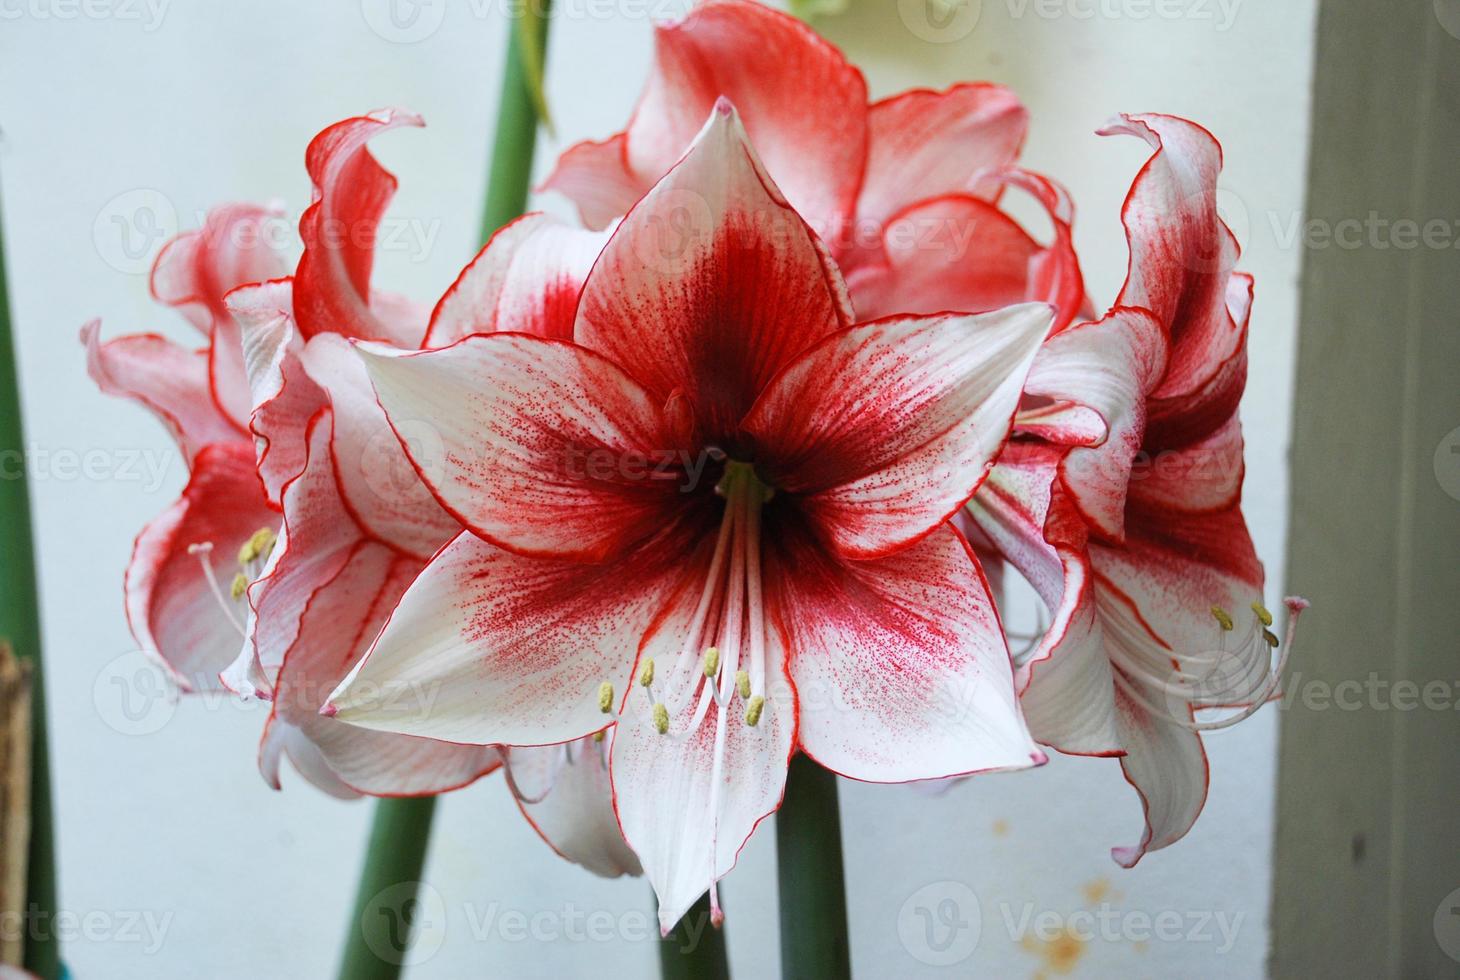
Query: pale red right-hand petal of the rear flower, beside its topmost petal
x,y
925,144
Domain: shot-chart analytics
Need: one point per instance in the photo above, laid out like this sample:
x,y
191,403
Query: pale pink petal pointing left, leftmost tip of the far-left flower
x,y
166,379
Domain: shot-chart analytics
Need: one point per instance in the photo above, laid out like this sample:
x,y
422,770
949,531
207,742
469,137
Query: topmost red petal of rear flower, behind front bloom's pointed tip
x,y
815,144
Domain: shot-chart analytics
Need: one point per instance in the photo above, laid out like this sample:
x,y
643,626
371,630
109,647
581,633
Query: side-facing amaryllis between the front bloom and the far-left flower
x,y
358,527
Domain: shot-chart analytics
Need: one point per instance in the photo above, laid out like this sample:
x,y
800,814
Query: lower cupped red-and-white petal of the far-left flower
x,y
172,607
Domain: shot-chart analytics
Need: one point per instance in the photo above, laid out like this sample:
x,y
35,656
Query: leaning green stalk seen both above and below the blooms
x,y
376,944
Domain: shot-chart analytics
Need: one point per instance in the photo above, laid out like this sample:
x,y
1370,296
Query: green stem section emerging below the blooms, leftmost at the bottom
x,y
377,944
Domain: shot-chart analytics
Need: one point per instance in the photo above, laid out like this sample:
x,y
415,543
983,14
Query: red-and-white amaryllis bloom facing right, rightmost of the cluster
x,y
1137,543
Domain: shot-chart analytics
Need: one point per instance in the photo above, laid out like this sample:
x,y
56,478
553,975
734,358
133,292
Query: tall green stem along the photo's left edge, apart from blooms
x,y
21,624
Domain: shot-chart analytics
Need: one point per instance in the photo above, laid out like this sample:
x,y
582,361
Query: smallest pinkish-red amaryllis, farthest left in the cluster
x,y
188,572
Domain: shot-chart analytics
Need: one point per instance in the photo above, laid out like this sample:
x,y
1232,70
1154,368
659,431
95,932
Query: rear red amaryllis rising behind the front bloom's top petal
x,y
893,188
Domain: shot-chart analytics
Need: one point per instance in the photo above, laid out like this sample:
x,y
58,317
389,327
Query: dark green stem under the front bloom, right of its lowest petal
x,y
814,895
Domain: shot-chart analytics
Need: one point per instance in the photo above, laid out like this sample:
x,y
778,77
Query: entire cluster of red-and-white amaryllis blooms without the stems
x,y
649,505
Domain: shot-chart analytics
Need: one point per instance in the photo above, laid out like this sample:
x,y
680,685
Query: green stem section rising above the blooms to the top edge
x,y
516,120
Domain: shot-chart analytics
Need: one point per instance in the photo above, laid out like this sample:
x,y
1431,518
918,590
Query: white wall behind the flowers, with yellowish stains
x,y
115,104
